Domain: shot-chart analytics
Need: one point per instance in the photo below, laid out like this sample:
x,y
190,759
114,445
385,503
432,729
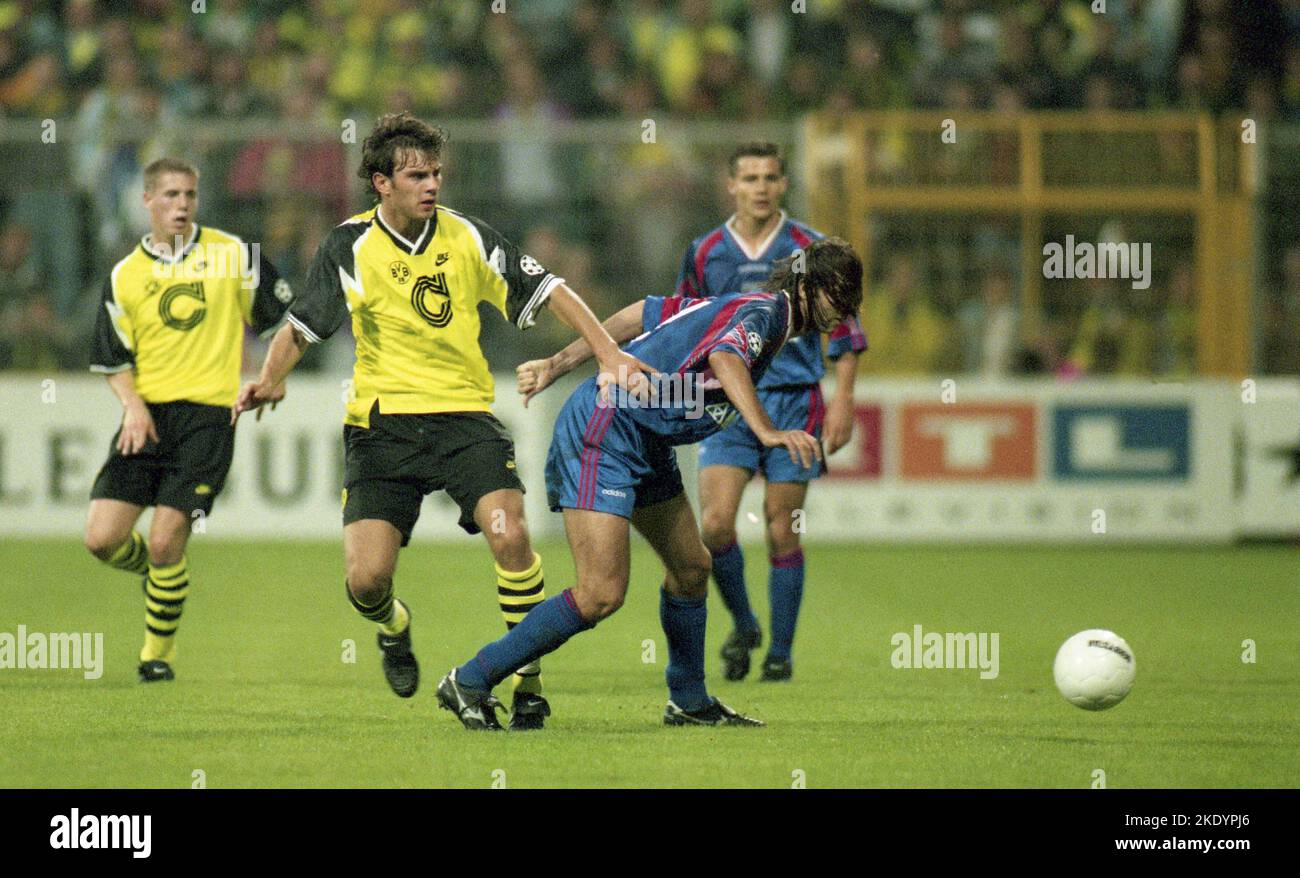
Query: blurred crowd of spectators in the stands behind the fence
x,y
153,67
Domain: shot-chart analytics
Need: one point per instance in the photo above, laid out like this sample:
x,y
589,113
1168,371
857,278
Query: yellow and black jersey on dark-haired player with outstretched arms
x,y
415,309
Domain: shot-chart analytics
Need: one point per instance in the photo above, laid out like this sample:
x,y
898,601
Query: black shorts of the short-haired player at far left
x,y
185,469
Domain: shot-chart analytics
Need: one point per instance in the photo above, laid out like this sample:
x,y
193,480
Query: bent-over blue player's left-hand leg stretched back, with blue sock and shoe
x,y
600,544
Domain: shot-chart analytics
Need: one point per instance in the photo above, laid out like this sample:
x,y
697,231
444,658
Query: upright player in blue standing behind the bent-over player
x,y
738,257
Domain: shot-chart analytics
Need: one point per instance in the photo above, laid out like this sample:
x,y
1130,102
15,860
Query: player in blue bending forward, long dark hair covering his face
x,y
613,462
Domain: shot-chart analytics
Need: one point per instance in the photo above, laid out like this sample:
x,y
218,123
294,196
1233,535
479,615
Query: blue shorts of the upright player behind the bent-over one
x,y
790,409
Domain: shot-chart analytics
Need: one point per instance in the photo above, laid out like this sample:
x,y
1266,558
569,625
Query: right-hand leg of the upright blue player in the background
x,y
783,509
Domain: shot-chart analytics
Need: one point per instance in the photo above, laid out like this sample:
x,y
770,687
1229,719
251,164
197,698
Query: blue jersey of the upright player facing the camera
x,y
717,265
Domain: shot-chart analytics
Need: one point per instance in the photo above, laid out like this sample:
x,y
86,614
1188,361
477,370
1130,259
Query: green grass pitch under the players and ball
x,y
265,698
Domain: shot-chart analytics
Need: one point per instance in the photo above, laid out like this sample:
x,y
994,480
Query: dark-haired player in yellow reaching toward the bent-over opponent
x,y
411,274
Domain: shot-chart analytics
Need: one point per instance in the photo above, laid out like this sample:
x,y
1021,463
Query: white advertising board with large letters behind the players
x,y
931,461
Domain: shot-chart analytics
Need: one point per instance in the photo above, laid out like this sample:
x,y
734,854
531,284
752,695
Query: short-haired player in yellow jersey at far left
x,y
170,338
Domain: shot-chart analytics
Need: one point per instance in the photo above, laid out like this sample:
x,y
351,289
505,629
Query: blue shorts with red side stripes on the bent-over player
x,y
601,460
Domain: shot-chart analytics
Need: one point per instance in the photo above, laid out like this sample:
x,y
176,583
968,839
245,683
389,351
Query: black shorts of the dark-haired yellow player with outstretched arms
x,y
391,468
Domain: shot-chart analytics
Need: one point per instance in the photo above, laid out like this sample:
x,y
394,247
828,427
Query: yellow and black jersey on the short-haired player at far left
x,y
179,322
